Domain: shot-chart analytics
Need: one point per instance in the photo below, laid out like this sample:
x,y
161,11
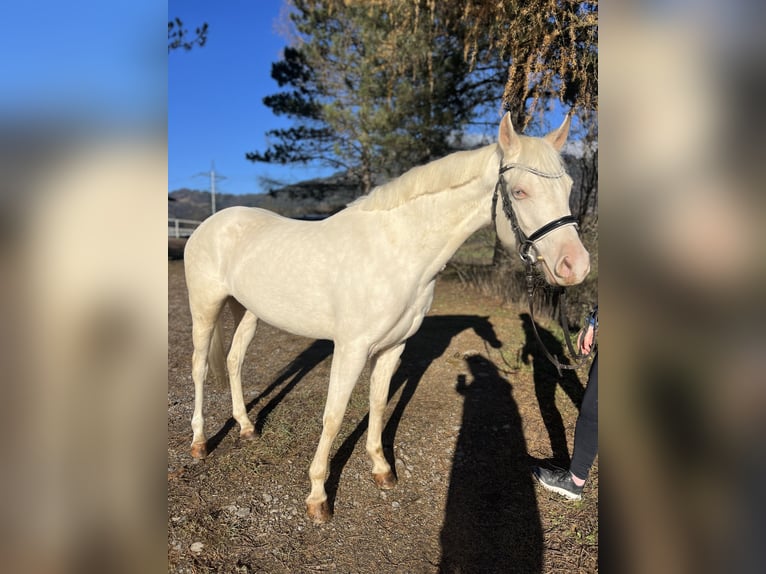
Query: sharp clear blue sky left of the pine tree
x,y
215,93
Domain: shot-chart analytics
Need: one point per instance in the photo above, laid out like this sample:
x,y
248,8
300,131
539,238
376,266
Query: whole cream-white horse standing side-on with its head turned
x,y
364,277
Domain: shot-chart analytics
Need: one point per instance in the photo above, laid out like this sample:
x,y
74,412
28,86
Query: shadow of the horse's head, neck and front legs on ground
x,y
428,344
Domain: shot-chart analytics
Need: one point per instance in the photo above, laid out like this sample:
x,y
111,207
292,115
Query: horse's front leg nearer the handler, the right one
x,y
383,369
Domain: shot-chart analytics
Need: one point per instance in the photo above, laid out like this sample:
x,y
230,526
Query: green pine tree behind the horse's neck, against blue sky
x,y
375,88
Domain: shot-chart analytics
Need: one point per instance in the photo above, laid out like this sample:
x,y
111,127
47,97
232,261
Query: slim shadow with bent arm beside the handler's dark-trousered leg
x,y
546,380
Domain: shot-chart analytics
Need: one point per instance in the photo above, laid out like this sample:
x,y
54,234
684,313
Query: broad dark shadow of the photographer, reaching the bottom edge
x,y
492,523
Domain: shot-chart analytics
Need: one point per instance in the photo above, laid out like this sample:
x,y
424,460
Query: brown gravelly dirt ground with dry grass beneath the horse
x,y
472,406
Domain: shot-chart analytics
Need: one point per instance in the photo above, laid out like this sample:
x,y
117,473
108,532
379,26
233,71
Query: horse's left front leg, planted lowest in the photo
x,y
347,365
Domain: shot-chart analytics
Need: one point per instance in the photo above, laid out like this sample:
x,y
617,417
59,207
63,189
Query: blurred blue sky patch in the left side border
x,y
85,61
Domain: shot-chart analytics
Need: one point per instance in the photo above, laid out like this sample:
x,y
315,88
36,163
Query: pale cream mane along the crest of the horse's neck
x,y
439,175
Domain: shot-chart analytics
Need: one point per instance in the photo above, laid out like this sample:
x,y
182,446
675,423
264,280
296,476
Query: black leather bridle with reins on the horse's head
x,y
525,244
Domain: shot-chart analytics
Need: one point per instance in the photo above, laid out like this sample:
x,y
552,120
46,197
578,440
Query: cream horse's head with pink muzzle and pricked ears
x,y
532,204
